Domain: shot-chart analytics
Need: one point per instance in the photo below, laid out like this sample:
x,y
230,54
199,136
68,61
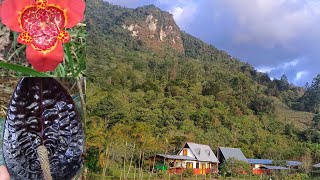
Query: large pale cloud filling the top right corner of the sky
x,y
273,22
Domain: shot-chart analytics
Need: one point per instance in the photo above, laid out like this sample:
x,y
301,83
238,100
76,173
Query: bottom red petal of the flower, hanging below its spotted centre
x,y
44,62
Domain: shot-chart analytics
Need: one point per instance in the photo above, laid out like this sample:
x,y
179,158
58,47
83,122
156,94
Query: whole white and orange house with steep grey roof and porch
x,y
198,157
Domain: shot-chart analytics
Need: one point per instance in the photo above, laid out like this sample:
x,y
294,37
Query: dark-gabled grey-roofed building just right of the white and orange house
x,y
225,153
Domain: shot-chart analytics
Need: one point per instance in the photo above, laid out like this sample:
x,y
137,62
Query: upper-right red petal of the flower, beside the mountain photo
x,y
75,10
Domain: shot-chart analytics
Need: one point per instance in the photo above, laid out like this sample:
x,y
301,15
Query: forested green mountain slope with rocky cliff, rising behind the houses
x,y
152,87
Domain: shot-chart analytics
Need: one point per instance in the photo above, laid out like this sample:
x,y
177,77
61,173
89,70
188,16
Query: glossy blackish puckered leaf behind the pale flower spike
x,y
42,113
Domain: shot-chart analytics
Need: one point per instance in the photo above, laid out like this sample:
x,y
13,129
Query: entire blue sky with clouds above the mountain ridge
x,y
276,36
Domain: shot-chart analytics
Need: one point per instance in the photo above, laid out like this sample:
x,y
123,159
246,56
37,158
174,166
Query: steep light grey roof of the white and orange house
x,y
202,152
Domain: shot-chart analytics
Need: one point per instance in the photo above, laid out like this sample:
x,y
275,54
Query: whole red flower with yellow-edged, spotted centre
x,y
42,24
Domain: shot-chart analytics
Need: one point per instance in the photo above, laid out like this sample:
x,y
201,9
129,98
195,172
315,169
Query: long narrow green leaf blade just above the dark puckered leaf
x,y
22,69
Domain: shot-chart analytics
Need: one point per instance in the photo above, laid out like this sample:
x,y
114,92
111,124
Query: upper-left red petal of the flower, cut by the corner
x,y
10,14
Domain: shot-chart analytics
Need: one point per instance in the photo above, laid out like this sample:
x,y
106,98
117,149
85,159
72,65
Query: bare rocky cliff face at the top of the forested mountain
x,y
155,28
